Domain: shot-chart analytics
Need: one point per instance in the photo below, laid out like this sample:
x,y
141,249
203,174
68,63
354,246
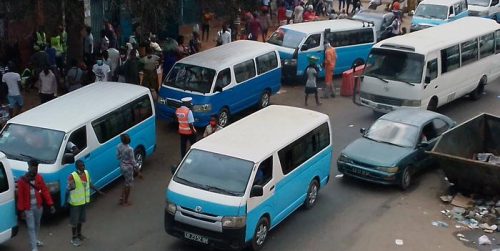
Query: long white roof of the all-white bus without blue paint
x,y
441,36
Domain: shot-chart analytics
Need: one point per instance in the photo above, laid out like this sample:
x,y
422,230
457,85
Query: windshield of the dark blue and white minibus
x,y
191,78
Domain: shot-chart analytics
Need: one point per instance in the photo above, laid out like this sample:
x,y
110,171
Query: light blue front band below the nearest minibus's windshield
x,y
207,207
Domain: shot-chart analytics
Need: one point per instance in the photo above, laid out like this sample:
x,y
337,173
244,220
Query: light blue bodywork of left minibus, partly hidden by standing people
x,y
102,163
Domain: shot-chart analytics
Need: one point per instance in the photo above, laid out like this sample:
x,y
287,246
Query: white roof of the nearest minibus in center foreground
x,y
258,135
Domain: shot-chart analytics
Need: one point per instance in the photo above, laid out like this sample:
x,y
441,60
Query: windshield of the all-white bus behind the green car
x,y
395,65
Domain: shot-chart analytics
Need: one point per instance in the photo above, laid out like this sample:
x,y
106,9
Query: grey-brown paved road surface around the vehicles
x,y
349,215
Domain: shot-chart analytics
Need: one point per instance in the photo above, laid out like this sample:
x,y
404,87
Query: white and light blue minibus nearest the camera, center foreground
x,y
240,182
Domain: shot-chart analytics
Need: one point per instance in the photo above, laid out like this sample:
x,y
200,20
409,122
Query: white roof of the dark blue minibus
x,y
221,57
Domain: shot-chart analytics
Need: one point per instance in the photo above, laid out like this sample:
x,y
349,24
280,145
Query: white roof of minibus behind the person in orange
x,y
320,26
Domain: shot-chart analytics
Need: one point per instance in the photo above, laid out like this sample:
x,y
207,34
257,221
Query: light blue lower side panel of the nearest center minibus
x,y
291,191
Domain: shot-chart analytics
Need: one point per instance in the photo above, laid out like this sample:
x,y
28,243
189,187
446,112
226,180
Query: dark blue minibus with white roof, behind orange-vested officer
x,y
222,81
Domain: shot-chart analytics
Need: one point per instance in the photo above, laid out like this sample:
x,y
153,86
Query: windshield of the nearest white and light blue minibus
x,y
214,172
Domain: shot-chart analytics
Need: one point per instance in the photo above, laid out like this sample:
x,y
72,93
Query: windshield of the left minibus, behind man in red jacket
x,y
22,142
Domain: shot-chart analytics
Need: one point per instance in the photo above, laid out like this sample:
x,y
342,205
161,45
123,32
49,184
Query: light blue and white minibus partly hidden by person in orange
x,y
352,40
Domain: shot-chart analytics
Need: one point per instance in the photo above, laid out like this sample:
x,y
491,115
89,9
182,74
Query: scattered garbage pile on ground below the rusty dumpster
x,y
473,212
